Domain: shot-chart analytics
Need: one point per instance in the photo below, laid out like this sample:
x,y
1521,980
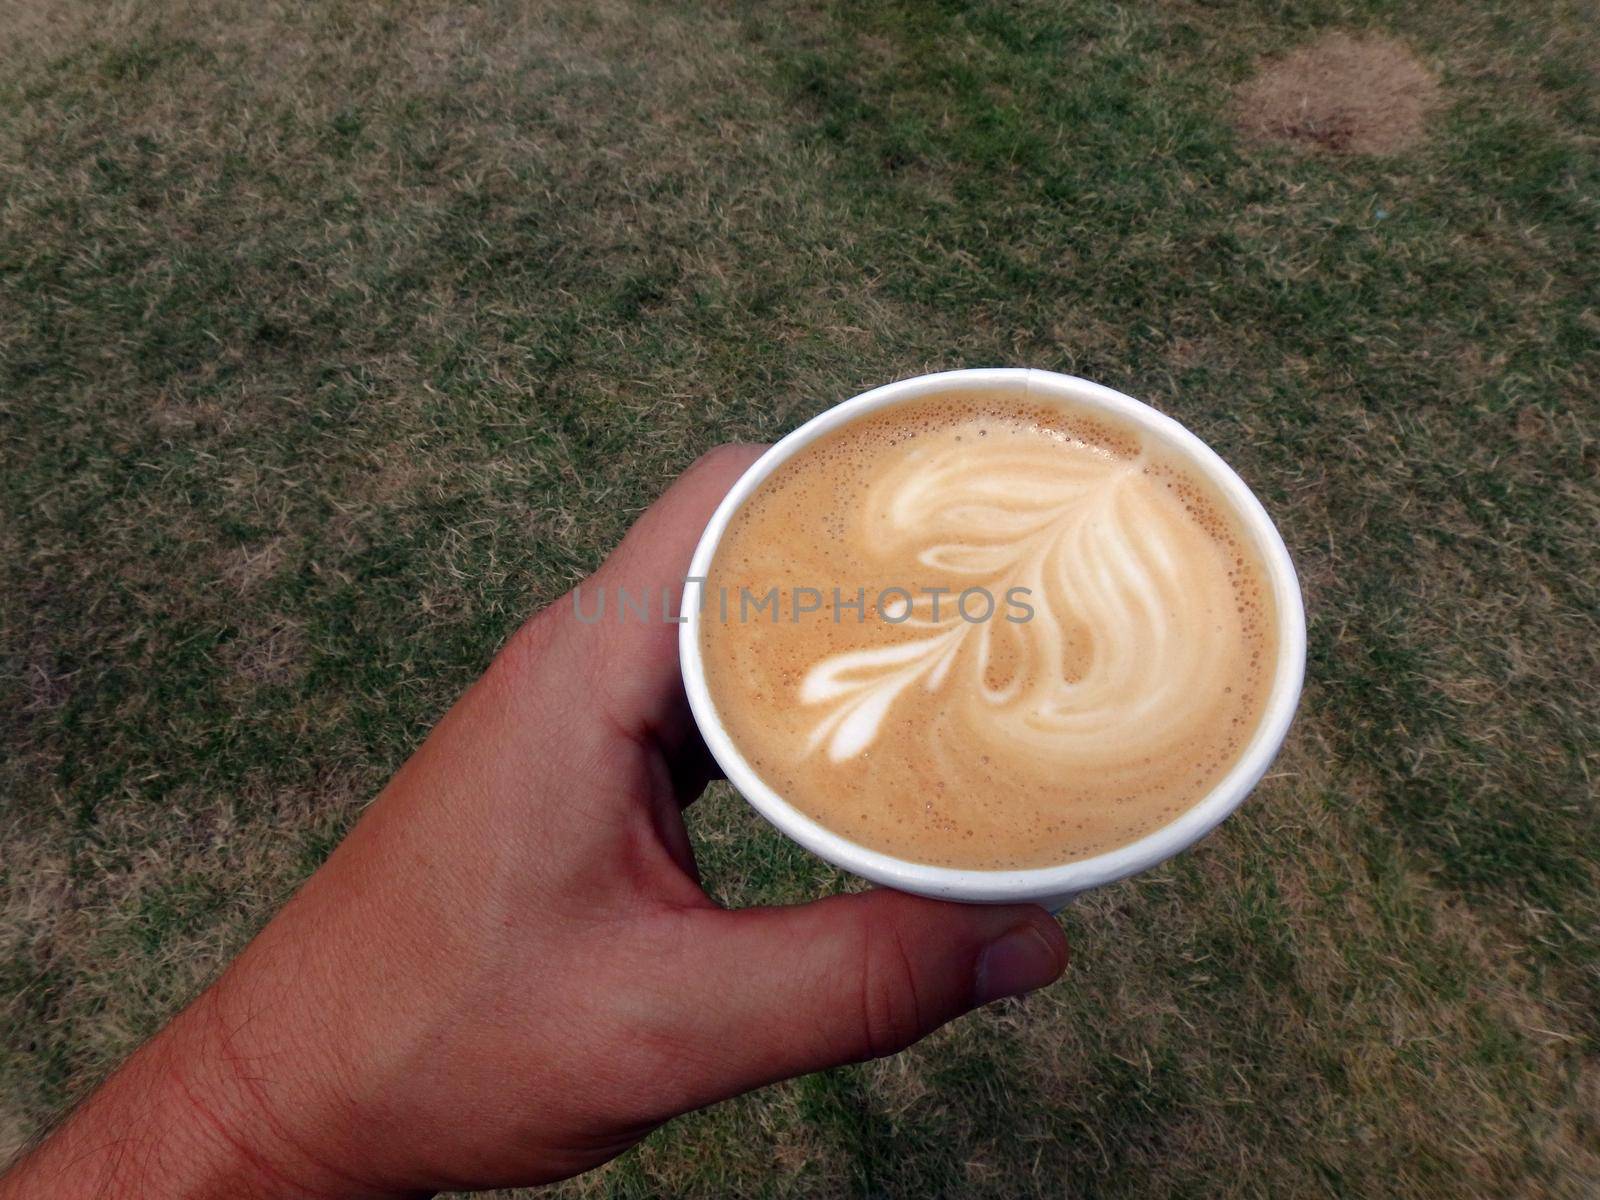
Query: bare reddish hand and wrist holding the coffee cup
x,y
508,974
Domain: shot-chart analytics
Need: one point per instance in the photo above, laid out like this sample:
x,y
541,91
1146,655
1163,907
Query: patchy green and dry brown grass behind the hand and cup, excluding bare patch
x,y
337,338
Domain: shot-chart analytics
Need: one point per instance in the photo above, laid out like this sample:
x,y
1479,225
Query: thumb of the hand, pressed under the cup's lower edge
x,y
777,993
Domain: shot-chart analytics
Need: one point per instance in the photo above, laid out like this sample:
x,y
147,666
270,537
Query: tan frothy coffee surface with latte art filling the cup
x,y
993,743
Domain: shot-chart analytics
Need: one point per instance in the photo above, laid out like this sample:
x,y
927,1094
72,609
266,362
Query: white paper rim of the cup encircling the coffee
x,y
1060,884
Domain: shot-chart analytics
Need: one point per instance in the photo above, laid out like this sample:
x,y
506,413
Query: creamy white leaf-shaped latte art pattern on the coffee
x,y
1121,658
